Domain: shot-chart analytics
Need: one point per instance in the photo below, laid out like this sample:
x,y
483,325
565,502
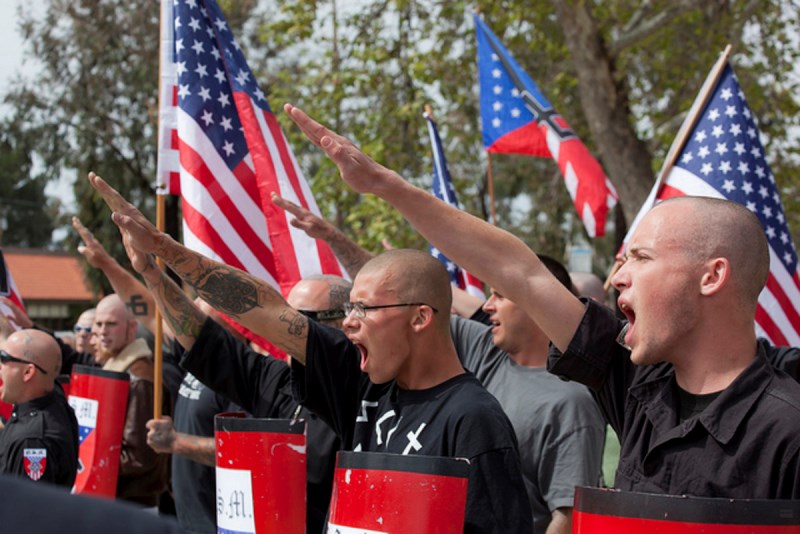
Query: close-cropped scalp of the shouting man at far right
x,y
716,228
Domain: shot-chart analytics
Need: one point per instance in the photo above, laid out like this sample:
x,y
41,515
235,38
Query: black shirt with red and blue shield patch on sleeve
x,y
40,440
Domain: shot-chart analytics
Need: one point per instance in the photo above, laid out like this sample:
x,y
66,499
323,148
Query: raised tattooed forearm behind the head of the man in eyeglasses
x,y
350,253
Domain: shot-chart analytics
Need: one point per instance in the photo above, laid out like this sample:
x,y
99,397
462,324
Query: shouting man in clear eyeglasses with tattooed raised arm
x,y
391,383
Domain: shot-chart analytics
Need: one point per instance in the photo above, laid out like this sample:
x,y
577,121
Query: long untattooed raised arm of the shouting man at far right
x,y
492,254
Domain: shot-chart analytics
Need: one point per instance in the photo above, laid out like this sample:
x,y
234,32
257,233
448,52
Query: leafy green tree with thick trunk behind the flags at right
x,y
622,73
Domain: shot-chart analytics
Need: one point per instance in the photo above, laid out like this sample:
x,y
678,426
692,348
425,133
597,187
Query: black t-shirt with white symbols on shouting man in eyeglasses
x,y
457,418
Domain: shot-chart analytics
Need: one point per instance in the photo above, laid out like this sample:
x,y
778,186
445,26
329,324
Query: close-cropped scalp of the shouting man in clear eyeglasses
x,y
414,276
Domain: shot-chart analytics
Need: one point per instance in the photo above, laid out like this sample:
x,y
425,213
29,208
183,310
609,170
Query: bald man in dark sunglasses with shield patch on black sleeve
x,y
40,439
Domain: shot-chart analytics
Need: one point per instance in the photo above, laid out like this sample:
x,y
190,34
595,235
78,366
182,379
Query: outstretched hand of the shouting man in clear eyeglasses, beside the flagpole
x,y
141,234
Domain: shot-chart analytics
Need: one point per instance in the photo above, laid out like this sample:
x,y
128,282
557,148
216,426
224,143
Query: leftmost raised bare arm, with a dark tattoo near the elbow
x,y
127,286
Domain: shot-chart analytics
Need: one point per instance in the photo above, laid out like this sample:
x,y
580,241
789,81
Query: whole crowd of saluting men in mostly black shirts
x,y
522,385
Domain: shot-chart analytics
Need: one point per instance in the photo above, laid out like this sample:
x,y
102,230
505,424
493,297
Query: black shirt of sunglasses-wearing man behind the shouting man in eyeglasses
x,y
260,385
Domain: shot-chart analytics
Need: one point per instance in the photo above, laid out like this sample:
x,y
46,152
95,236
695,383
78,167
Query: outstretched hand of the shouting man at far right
x,y
358,170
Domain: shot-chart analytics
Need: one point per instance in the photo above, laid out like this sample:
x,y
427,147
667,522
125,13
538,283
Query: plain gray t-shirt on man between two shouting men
x,y
558,424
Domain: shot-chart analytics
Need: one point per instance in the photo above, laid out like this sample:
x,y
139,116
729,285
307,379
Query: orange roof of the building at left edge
x,y
47,275
